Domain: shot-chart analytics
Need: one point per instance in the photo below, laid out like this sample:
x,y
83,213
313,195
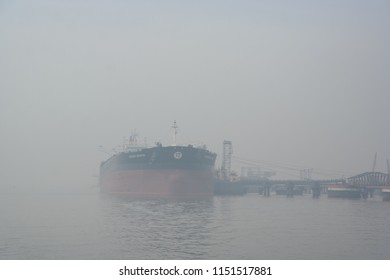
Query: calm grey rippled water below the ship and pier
x,y
90,226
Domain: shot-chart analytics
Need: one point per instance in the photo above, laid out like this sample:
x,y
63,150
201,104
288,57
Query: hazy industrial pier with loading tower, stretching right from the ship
x,y
252,179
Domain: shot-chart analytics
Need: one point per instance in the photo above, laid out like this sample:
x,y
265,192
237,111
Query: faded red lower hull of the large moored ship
x,y
159,183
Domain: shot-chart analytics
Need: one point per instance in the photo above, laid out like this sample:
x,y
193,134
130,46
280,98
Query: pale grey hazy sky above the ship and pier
x,y
293,84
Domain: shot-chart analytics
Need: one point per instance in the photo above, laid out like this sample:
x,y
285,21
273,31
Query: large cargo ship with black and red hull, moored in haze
x,y
159,171
